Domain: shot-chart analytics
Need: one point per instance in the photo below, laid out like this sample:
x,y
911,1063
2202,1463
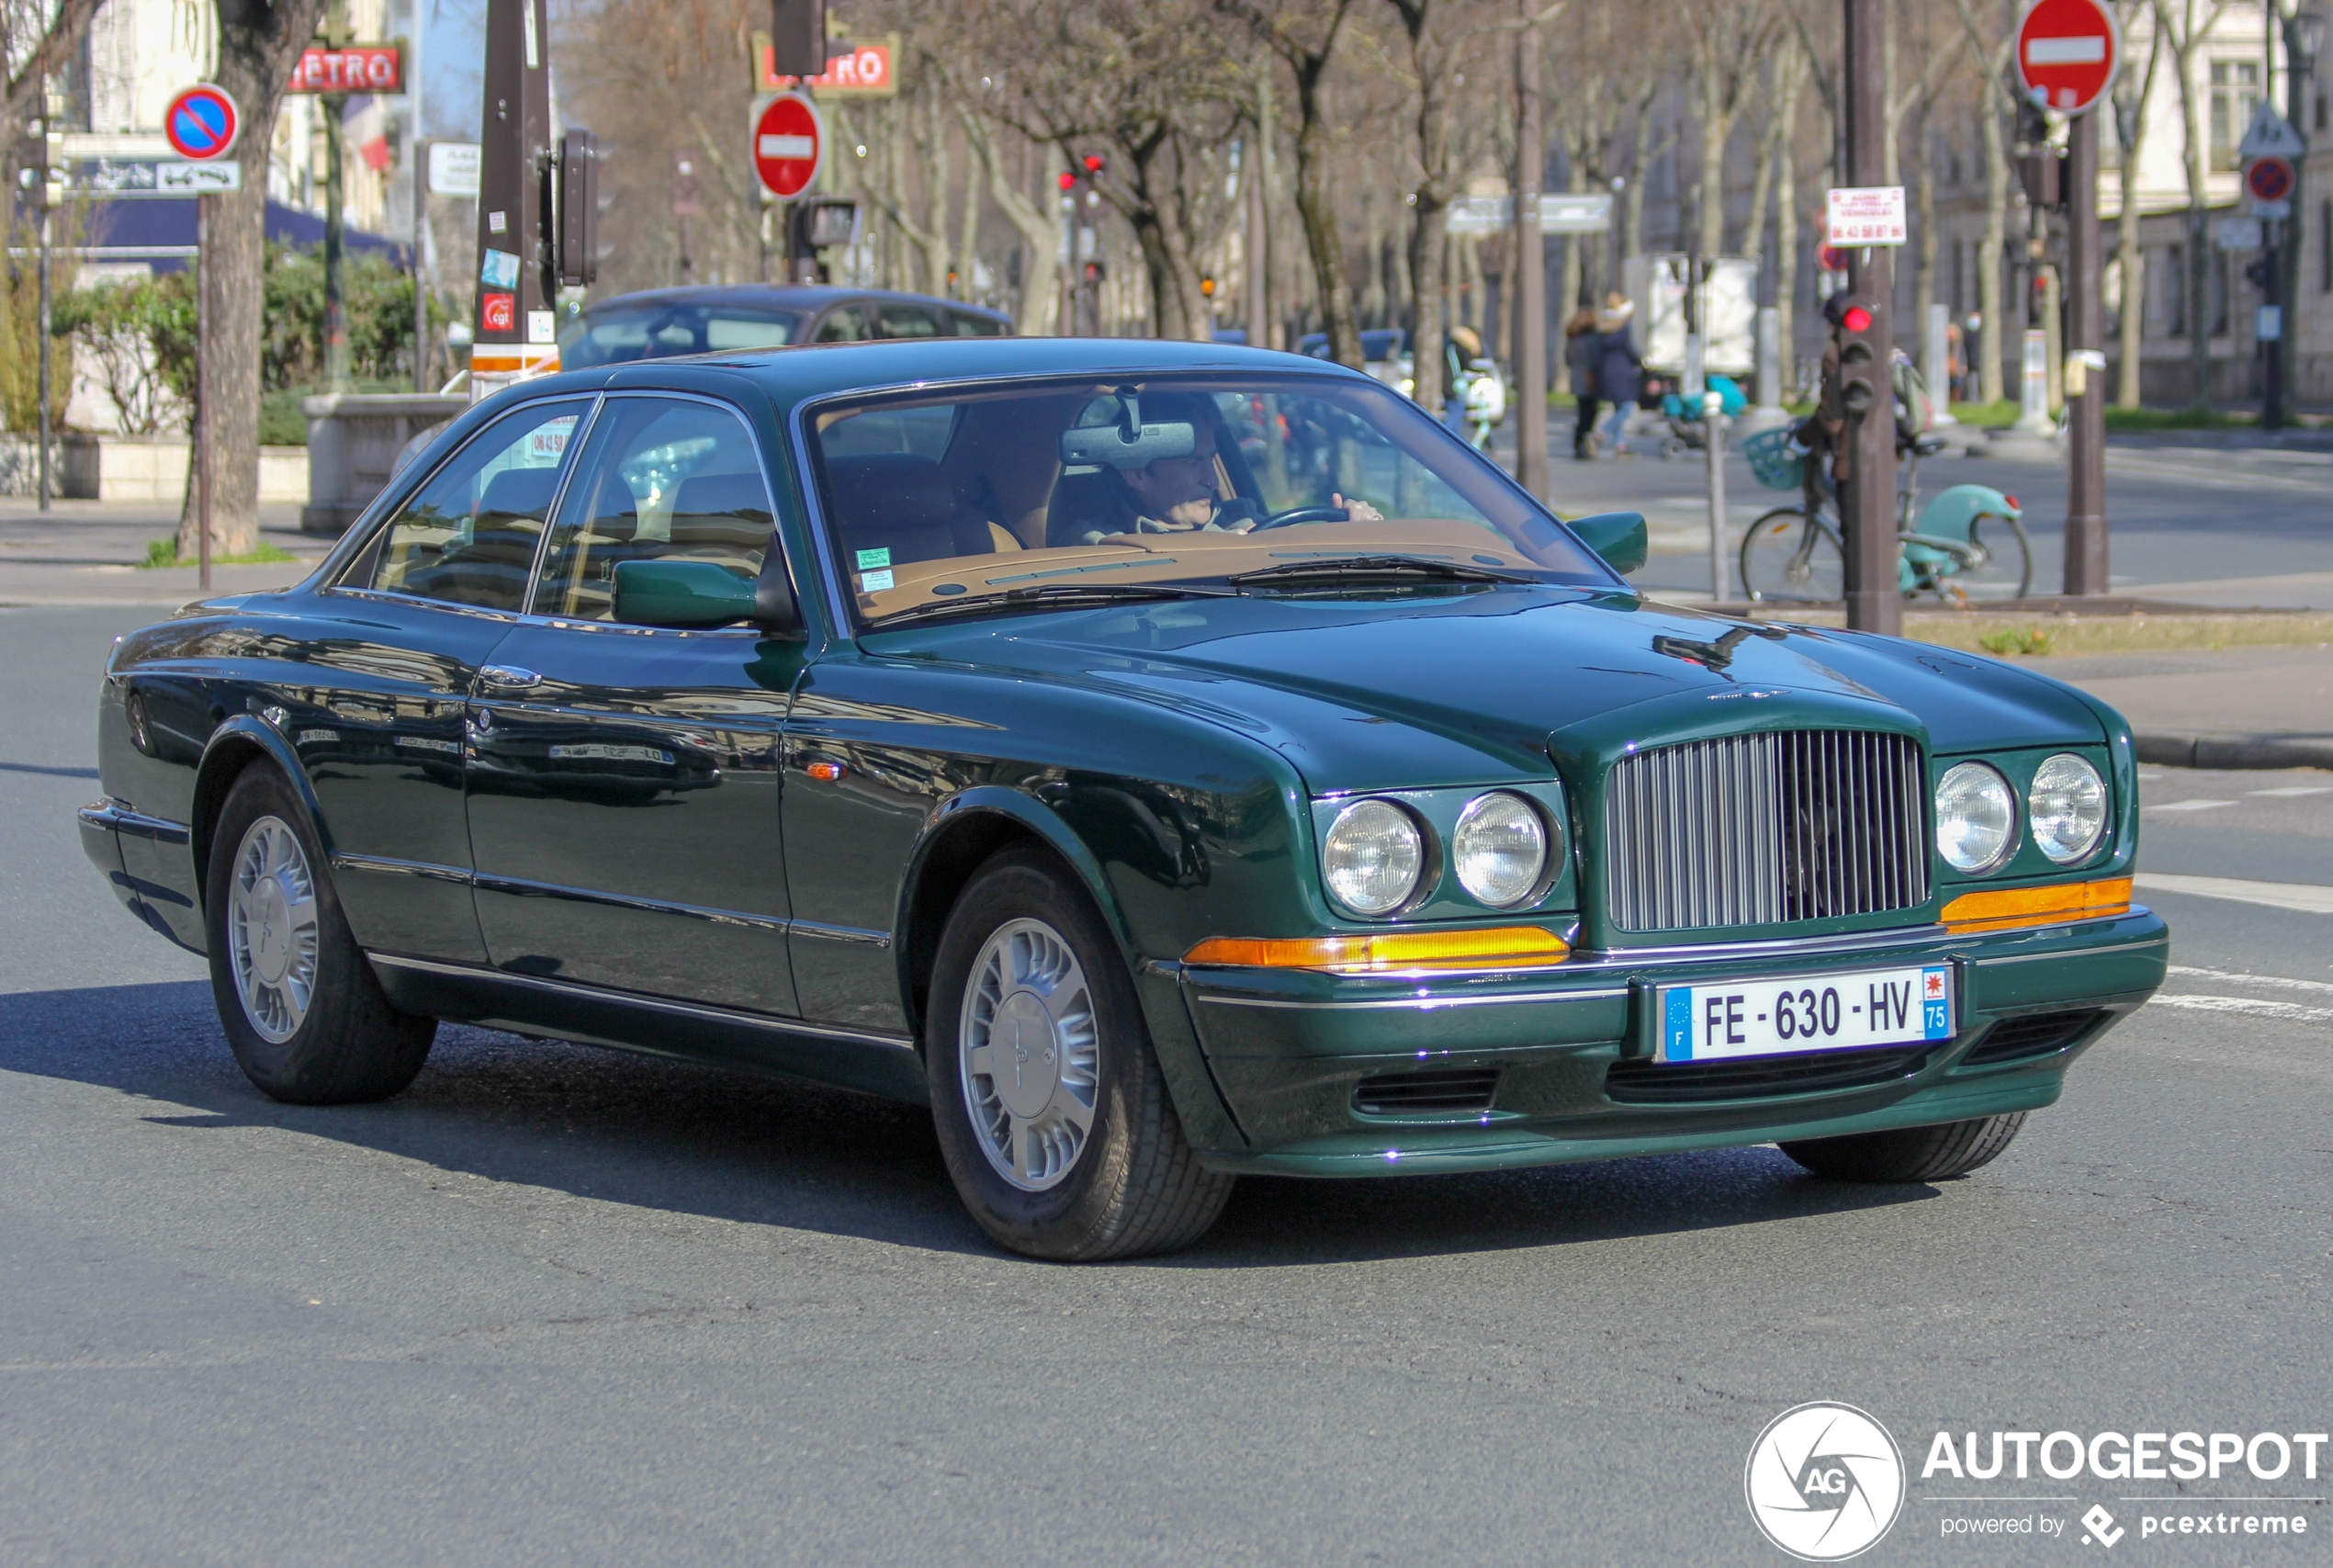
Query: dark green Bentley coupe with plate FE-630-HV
x,y
1161,759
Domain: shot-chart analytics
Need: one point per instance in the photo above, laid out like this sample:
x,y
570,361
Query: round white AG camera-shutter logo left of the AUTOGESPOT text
x,y
1826,1483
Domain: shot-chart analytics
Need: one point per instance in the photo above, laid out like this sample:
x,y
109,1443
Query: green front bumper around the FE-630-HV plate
x,y
1574,1051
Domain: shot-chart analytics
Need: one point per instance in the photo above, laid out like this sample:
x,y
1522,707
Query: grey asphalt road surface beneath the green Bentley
x,y
577,1308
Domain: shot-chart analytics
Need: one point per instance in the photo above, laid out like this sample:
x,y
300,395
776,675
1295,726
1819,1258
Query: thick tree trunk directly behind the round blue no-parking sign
x,y
258,50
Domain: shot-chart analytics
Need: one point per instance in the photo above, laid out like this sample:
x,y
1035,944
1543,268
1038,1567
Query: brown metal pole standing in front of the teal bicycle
x,y
1868,500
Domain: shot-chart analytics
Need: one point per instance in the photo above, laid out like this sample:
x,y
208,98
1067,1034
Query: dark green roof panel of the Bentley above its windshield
x,y
820,370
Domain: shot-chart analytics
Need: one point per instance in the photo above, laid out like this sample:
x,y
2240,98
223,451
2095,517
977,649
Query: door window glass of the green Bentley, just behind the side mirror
x,y
661,479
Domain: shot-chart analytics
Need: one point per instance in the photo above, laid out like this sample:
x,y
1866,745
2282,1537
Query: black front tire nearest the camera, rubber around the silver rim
x,y
1133,1186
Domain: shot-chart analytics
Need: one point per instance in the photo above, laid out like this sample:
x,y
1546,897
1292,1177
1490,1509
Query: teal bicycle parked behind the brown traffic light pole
x,y
1968,545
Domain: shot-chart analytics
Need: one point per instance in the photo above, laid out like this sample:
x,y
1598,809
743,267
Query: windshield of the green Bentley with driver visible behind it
x,y
1282,484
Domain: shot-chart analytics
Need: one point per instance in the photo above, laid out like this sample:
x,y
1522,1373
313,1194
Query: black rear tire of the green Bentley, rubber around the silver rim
x,y
349,1044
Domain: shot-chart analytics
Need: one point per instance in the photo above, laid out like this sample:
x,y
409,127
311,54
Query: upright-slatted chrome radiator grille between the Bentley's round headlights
x,y
1765,829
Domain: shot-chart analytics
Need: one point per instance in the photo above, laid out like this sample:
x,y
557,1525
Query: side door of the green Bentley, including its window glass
x,y
624,787
